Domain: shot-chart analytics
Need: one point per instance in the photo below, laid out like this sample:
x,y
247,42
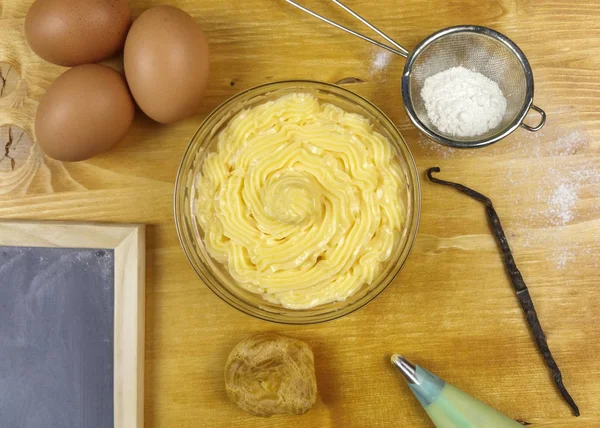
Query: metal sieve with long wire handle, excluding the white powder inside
x,y
479,49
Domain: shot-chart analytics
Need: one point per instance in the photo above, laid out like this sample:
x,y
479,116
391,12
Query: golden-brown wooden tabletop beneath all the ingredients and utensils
x,y
452,308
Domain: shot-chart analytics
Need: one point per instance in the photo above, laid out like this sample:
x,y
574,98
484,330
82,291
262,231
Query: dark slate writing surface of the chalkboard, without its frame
x,y
56,337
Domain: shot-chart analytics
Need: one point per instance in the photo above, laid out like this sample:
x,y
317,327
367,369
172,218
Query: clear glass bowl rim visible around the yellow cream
x,y
215,275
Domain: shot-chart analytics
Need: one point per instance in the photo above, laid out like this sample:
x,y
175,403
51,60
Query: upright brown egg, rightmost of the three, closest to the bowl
x,y
166,63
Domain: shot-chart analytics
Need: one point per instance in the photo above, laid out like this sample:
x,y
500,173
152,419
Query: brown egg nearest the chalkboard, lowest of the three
x,y
85,112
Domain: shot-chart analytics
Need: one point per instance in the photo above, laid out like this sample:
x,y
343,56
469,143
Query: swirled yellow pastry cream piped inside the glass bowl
x,y
301,201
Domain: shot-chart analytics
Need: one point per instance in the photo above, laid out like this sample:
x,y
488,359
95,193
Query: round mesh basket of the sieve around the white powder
x,y
478,52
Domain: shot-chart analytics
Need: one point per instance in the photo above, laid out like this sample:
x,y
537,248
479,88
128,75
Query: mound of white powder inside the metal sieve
x,y
463,103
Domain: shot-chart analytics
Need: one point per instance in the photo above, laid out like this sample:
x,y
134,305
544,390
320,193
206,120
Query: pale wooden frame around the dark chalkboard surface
x,y
128,244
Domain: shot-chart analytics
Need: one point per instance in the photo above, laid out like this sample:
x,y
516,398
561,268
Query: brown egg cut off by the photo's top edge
x,y
73,32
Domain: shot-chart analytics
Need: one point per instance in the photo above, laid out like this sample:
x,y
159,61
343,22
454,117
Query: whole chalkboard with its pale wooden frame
x,y
71,325
